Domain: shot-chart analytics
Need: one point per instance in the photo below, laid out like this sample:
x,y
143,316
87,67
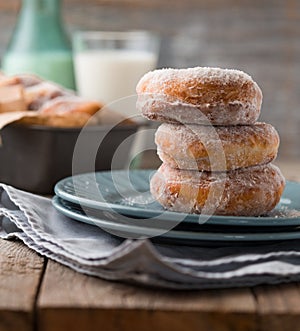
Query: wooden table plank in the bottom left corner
x,y
20,273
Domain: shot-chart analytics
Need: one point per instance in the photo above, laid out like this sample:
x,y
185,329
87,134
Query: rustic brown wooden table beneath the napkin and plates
x,y
39,294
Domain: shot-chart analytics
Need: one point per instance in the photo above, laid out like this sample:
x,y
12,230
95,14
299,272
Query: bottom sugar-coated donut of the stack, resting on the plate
x,y
252,191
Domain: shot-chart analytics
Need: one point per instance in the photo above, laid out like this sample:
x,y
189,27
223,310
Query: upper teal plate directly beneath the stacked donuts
x,y
128,193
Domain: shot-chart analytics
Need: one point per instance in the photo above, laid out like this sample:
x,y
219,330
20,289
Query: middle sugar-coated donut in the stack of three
x,y
198,147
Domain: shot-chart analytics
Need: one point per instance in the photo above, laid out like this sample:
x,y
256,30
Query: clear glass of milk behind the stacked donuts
x,y
108,65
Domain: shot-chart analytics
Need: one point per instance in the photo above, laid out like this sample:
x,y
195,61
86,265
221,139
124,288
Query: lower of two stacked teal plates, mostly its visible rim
x,y
117,227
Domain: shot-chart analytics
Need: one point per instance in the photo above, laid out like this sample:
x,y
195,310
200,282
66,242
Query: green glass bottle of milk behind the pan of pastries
x,y
39,44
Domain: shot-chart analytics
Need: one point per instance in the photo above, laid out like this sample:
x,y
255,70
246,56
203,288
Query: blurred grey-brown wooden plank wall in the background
x,y
261,37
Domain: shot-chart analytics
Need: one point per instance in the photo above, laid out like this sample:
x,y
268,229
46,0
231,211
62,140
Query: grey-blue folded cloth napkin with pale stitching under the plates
x,y
91,250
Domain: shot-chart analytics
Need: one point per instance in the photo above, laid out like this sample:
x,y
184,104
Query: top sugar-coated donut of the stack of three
x,y
199,95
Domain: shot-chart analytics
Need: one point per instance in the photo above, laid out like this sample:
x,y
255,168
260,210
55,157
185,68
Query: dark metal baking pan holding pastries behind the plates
x,y
34,158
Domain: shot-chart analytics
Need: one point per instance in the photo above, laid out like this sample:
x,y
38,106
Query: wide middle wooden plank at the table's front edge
x,y
75,301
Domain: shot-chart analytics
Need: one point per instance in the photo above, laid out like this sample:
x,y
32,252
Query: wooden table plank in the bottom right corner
x,y
278,307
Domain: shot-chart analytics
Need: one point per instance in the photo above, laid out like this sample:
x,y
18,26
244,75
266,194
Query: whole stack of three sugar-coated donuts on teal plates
x,y
216,156
